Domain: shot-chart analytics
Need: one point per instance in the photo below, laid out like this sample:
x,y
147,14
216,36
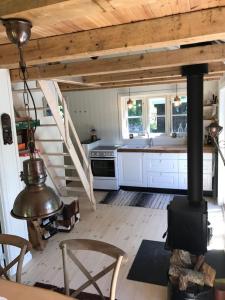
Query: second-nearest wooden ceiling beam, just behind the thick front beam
x,y
132,63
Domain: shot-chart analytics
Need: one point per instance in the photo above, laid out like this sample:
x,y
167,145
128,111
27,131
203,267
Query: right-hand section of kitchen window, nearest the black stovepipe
x,y
179,116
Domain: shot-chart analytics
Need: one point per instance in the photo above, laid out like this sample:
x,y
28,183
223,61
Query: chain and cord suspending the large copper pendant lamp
x,y
26,94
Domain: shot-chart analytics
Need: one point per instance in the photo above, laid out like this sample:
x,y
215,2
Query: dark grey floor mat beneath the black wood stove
x,y
152,262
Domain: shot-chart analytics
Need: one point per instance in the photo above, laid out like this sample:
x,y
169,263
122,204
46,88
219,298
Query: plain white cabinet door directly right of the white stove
x,y
130,169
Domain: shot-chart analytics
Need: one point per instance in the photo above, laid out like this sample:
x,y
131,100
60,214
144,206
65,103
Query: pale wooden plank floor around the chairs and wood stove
x,y
124,227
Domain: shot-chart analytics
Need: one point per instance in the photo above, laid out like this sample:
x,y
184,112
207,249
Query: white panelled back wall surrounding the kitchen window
x,y
101,109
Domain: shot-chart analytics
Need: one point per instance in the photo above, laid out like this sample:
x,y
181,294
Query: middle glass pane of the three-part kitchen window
x,y
157,115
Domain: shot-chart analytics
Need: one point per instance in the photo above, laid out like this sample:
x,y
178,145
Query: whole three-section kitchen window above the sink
x,y
153,116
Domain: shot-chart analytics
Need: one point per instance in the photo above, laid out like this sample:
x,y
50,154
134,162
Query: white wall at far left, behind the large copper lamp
x,y
10,183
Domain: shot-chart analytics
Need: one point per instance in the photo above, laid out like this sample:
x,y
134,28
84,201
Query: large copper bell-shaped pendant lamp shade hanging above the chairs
x,y
36,200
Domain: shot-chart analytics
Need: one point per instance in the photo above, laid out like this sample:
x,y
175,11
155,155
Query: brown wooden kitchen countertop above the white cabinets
x,y
161,149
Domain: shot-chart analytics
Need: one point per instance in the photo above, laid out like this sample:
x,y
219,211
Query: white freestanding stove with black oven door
x,y
104,167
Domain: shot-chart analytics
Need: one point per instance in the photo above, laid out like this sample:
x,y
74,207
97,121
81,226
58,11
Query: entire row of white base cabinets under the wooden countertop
x,y
160,170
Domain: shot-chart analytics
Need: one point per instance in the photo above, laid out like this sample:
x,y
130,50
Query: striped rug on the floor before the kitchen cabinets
x,y
138,199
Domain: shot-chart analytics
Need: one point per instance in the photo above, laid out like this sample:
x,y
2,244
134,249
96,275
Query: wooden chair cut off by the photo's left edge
x,y
16,241
